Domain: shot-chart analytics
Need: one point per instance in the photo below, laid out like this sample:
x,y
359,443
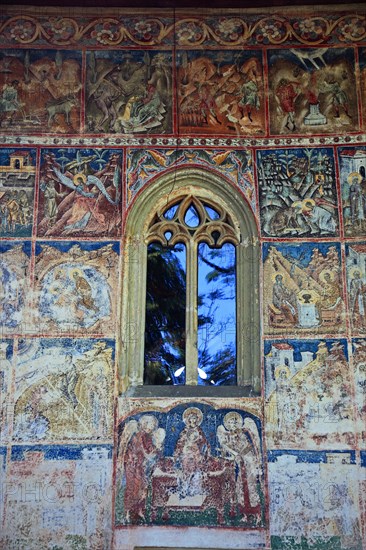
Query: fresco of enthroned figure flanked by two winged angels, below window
x,y
190,466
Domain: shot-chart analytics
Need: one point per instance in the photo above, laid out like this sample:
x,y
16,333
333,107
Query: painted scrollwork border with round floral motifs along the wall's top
x,y
166,30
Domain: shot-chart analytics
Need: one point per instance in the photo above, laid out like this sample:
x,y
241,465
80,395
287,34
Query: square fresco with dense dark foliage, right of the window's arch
x,y
297,192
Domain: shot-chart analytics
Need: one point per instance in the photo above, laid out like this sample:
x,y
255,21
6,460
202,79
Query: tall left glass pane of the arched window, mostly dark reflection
x,y
165,315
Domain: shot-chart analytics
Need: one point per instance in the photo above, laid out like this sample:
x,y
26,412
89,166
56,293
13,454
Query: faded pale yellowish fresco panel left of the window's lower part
x,y
63,390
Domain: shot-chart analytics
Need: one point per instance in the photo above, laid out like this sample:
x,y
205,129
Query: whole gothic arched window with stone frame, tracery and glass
x,y
190,307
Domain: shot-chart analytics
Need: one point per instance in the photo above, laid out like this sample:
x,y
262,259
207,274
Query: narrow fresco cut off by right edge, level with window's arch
x,y
352,163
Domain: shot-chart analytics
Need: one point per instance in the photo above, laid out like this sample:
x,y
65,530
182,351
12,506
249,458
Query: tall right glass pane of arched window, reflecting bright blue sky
x,y
216,315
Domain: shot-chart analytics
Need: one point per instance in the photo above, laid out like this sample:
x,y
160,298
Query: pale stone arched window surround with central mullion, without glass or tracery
x,y
213,189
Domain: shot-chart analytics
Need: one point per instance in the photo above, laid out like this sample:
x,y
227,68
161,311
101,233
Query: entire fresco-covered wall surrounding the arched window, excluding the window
x,y
93,106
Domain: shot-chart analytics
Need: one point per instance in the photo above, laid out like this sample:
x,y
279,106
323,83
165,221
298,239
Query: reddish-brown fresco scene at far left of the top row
x,y
40,91
